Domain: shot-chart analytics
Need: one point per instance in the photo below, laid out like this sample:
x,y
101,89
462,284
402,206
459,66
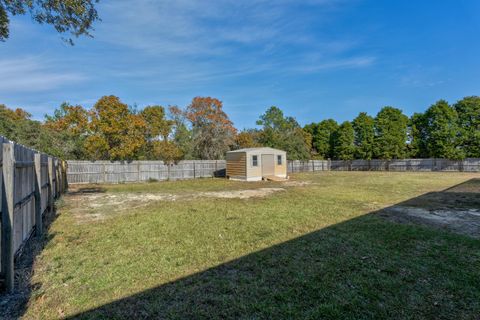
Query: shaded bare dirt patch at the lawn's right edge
x,y
456,209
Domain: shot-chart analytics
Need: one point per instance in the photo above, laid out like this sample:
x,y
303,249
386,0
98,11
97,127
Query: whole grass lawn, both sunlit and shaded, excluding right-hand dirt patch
x,y
317,249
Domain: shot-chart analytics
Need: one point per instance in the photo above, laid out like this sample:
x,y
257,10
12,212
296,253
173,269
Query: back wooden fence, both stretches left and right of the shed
x,y
138,171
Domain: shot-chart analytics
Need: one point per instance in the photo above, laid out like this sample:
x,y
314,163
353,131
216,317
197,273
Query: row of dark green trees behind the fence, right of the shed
x,y
442,131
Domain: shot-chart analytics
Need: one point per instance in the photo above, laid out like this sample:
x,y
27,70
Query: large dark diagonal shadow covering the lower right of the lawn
x,y
367,267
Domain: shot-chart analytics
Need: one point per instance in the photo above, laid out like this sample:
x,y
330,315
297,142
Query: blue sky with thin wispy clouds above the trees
x,y
315,59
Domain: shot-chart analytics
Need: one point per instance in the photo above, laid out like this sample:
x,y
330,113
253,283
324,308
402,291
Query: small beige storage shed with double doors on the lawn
x,y
254,164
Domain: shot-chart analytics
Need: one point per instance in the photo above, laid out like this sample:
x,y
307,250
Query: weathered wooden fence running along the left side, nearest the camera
x,y
30,181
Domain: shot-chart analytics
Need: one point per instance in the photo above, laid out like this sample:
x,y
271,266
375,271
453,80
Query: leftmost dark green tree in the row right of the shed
x,y
323,135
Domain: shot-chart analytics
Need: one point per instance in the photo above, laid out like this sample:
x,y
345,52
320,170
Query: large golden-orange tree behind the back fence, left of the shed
x,y
114,132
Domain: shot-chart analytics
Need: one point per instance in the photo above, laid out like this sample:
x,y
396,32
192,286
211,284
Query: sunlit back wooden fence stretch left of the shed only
x,y
138,171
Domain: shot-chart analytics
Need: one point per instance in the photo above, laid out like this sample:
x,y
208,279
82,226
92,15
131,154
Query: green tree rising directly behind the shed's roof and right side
x,y
283,133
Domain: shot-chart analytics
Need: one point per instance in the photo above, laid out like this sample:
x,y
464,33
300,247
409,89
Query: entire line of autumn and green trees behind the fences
x,y
113,130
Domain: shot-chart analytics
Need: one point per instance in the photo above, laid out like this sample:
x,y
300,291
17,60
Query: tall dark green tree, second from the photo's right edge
x,y
441,131
